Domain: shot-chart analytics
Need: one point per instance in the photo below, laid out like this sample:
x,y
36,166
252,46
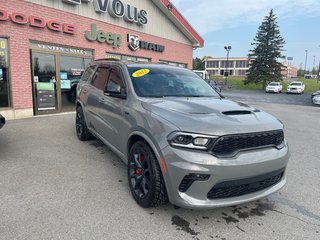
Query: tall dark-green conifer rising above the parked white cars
x,y
268,45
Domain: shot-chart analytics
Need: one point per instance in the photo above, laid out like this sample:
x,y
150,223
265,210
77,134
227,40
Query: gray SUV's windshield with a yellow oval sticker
x,y
165,81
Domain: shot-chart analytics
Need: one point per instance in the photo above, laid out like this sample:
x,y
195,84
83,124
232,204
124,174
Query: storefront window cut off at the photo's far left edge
x,y
4,74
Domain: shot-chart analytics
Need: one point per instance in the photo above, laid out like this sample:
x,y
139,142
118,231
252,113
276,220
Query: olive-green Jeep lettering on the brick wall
x,y
103,37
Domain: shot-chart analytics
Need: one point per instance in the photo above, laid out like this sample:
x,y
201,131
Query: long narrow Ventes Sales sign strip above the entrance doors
x,y
59,49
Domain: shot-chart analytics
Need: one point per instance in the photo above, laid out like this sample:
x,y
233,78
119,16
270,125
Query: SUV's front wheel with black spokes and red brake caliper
x,y
145,178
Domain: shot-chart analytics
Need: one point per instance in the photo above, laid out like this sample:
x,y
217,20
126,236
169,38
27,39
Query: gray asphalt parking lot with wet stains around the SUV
x,y
53,186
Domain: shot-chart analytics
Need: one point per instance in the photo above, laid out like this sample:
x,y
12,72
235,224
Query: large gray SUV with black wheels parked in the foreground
x,y
181,140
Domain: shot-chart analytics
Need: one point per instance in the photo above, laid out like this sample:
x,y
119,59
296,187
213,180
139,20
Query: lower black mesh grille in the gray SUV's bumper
x,y
241,187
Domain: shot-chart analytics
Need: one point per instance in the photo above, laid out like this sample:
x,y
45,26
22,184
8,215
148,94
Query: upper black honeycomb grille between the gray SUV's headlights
x,y
230,144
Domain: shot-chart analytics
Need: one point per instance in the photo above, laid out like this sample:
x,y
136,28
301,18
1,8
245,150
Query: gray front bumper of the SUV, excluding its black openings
x,y
248,164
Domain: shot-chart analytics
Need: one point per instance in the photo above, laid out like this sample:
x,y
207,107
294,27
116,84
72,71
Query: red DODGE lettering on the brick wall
x,y
36,22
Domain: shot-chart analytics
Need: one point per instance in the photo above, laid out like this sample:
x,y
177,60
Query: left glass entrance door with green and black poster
x,y
44,83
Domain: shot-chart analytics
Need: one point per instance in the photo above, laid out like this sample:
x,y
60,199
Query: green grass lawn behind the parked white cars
x,y
236,83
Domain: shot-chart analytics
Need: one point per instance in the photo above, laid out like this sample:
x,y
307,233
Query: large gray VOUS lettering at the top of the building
x,y
116,9
